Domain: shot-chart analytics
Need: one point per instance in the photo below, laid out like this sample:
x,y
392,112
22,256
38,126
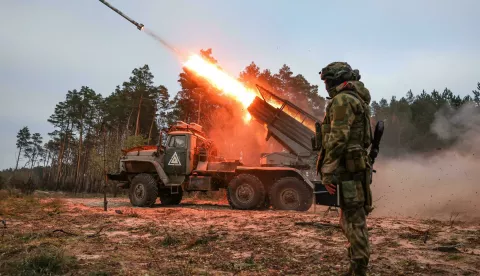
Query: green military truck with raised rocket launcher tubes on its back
x,y
188,161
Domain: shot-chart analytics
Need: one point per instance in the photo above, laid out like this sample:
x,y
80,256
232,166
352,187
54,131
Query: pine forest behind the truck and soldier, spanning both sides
x,y
89,129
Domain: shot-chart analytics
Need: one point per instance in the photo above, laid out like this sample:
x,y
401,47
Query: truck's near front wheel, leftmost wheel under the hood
x,y
143,190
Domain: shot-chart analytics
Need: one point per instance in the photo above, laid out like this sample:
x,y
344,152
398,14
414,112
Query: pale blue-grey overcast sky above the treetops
x,y
49,47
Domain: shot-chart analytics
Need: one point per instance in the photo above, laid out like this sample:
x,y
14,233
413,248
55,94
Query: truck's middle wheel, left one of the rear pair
x,y
246,192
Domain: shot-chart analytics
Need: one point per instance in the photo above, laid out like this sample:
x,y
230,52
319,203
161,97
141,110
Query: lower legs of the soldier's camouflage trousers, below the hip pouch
x,y
354,227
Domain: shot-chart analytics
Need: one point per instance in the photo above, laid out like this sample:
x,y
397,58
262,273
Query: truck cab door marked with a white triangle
x,y
176,155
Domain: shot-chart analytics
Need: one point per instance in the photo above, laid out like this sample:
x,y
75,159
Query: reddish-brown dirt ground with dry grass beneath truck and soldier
x,y
208,238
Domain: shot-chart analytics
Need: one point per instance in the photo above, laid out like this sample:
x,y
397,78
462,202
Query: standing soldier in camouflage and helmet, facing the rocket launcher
x,y
346,136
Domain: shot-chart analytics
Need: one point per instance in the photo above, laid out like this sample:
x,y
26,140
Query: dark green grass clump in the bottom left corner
x,y
47,260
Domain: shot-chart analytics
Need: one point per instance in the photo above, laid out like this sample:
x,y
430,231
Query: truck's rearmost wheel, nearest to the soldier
x,y
291,193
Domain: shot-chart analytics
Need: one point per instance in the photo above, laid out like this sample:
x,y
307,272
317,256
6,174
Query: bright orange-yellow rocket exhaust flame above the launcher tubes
x,y
222,81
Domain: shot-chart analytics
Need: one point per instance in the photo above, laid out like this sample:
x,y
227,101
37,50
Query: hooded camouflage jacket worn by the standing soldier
x,y
346,124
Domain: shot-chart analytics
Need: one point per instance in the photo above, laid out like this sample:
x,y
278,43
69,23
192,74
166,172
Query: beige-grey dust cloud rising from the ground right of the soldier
x,y
439,186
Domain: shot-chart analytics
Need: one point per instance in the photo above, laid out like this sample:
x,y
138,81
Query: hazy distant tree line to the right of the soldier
x,y
409,120
